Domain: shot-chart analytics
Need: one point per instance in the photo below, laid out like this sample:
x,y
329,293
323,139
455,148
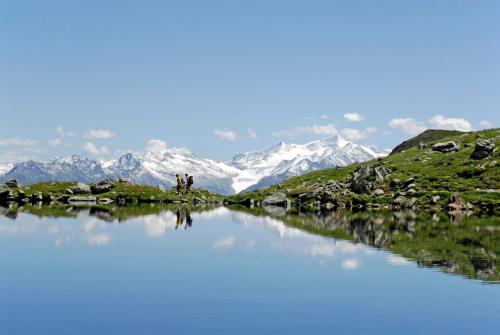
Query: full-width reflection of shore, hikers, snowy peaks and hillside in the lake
x,y
466,246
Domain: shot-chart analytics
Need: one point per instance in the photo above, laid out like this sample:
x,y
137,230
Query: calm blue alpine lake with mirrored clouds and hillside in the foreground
x,y
179,269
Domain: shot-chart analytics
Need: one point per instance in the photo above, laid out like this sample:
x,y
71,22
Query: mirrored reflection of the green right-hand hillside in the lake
x,y
469,246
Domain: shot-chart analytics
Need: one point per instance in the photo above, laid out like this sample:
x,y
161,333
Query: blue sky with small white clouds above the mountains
x,y
222,77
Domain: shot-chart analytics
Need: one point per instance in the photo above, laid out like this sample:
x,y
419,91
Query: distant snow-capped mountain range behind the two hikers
x,y
244,172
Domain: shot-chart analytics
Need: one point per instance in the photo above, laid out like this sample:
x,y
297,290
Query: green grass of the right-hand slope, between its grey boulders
x,y
435,174
